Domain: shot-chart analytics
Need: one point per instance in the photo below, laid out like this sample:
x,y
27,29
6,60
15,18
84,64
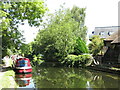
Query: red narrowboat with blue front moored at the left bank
x,y
23,66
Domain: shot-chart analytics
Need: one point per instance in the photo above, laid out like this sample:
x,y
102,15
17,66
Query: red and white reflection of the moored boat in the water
x,y
24,80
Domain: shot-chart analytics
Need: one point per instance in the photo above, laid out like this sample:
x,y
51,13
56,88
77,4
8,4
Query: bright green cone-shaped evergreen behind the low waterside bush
x,y
80,47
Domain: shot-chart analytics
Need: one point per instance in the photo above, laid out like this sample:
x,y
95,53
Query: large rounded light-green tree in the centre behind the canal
x,y
58,38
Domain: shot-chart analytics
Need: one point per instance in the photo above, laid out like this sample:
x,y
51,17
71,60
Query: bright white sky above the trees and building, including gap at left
x,y
99,13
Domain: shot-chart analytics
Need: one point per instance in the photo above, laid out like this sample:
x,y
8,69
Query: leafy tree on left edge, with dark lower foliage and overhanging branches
x,y
15,13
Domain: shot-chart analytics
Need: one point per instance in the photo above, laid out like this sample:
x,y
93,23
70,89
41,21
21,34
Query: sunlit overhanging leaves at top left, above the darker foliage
x,y
20,11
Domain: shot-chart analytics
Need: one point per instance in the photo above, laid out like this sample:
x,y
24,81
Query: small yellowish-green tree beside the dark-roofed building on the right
x,y
96,45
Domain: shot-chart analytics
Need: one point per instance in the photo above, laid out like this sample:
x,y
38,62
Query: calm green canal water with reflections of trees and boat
x,y
53,77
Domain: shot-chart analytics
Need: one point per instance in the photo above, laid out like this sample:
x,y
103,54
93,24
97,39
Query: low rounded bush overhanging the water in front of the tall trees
x,y
78,61
